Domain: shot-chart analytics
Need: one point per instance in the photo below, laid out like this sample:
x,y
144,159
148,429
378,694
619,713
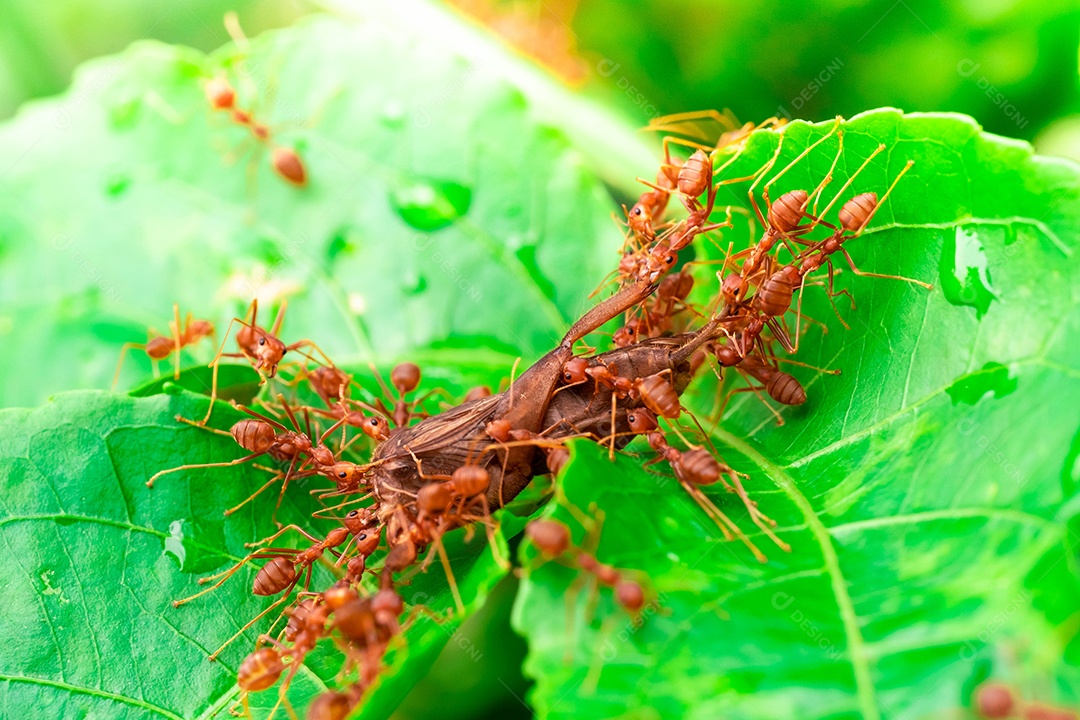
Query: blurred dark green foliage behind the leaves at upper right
x,y
1011,65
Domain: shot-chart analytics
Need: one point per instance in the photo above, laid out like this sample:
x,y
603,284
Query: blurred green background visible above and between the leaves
x,y
1012,65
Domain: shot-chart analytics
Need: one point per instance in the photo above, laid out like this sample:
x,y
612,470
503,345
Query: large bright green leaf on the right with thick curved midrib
x,y
929,493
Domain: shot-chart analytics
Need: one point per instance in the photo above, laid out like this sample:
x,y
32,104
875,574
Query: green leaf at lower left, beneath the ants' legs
x,y
99,558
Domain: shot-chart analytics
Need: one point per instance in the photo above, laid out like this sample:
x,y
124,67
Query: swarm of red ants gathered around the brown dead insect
x,y
741,330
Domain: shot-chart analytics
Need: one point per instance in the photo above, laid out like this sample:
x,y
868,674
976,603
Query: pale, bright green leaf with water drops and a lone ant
x,y
443,208
